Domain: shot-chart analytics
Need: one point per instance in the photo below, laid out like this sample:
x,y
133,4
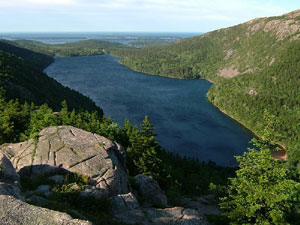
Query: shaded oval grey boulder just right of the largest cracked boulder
x,y
149,189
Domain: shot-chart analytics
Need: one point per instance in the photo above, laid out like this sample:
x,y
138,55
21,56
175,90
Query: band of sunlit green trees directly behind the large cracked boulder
x,y
21,121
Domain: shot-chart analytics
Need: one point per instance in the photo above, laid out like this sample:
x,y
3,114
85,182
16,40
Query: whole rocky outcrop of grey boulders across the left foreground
x,y
60,151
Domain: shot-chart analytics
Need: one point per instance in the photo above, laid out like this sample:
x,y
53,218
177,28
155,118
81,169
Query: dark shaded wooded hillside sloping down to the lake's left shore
x,y
26,82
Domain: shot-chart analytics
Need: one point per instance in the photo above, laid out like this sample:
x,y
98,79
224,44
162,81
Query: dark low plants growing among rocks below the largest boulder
x,y
66,198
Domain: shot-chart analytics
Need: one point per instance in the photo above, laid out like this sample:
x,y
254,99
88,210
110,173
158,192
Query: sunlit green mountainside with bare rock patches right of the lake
x,y
255,67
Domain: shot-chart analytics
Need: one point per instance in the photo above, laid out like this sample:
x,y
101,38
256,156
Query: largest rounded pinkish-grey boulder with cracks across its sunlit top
x,y
66,149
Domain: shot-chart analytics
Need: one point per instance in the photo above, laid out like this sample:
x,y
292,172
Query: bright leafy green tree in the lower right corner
x,y
262,191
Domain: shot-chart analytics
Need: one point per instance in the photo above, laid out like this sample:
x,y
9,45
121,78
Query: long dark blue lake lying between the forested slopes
x,y
184,120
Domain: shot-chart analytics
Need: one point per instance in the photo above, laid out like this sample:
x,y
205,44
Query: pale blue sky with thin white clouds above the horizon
x,y
134,15
